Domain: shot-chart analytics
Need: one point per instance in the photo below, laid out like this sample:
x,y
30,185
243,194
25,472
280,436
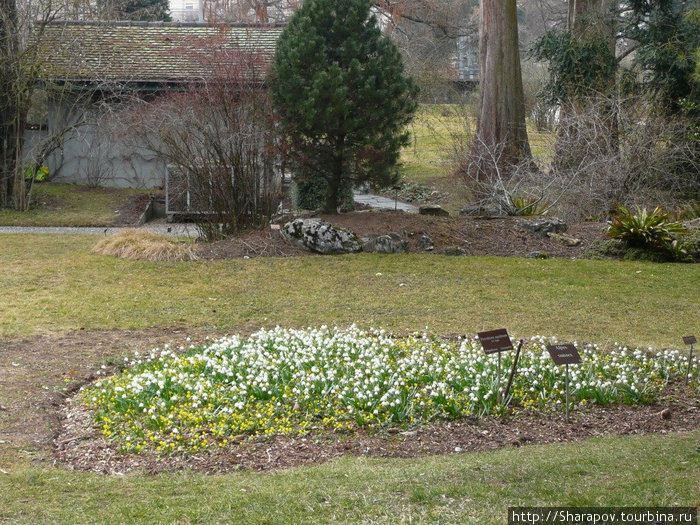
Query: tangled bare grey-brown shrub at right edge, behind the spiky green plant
x,y
614,153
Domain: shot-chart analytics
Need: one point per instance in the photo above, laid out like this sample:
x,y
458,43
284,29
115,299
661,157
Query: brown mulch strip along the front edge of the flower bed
x,y
79,446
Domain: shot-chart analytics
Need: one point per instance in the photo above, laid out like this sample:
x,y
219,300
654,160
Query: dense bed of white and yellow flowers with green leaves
x,y
292,381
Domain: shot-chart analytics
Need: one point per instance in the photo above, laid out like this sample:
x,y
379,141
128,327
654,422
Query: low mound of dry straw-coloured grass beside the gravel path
x,y
144,245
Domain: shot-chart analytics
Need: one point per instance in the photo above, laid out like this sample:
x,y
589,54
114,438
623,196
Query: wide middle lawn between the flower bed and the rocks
x,y
64,287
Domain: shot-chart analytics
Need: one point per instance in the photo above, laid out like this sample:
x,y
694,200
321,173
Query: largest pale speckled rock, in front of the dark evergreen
x,y
319,236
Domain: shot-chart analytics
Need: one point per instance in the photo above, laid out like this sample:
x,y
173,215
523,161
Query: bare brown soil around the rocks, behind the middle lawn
x,y
504,237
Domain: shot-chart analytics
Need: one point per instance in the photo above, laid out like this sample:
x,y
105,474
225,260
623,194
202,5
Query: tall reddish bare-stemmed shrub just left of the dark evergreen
x,y
219,134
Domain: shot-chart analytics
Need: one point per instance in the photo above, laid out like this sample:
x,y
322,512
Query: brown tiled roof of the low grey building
x,y
157,52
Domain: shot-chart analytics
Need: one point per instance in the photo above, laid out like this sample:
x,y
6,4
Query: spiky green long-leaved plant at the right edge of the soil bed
x,y
653,231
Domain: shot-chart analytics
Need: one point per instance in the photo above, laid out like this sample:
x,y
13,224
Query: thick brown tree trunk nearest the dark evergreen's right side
x,y
501,124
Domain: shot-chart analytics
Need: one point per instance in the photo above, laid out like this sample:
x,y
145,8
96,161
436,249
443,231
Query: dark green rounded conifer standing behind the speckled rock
x,y
342,97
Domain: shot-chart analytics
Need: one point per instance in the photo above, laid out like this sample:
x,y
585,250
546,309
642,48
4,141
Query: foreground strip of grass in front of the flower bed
x,y
467,488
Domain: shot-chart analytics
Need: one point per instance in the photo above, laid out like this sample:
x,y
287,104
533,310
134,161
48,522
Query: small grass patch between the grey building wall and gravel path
x,y
69,205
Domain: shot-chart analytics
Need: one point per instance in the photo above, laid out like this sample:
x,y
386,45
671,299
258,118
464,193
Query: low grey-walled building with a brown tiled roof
x,y
91,69
